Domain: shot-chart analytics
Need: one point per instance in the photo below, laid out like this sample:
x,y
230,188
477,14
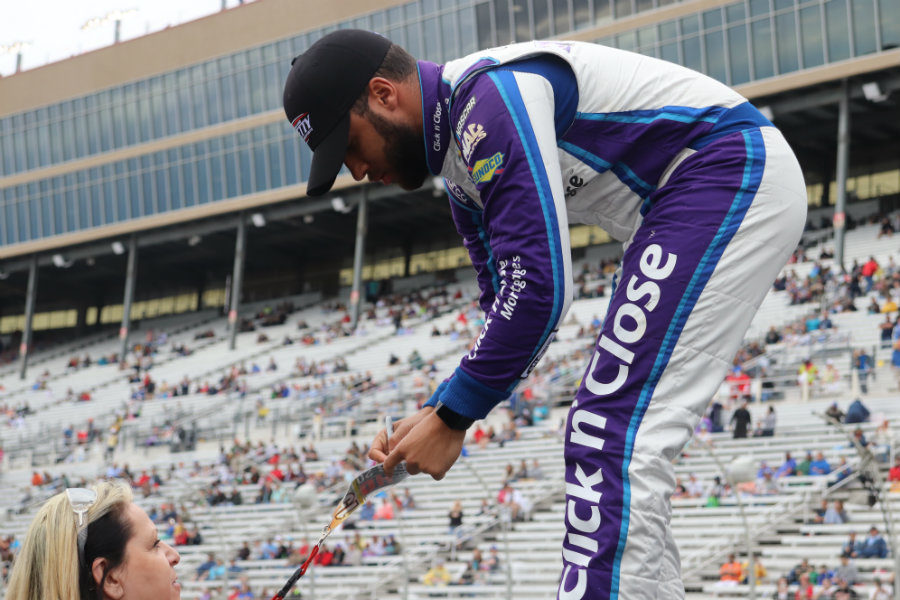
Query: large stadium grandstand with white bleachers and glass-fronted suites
x,y
262,336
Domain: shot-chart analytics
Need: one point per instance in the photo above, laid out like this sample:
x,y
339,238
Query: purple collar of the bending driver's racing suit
x,y
435,120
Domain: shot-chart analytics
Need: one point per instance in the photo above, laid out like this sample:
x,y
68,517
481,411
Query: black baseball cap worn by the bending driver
x,y
322,86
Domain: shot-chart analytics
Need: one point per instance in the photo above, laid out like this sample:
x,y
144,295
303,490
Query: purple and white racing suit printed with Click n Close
x,y
709,201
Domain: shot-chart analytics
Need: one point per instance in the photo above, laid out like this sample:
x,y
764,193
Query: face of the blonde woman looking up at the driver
x,y
148,572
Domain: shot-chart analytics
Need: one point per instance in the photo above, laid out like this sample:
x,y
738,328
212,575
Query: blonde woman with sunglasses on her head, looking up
x,y
94,544
